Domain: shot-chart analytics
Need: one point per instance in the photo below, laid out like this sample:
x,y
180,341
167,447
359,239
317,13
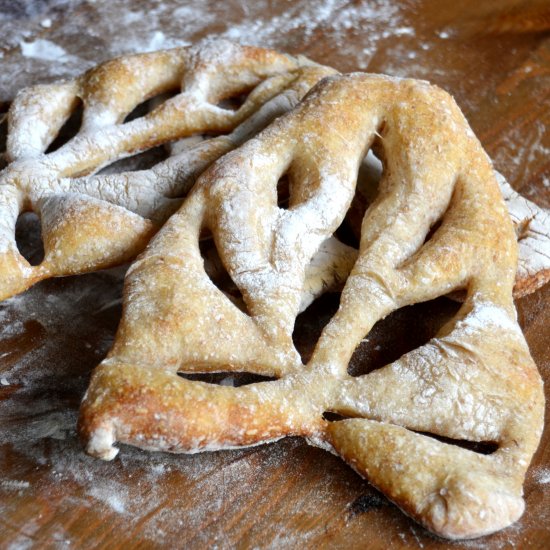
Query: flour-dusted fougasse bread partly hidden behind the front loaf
x,y
92,221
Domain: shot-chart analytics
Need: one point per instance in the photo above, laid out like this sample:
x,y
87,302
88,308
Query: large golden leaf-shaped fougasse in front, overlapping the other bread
x,y
475,380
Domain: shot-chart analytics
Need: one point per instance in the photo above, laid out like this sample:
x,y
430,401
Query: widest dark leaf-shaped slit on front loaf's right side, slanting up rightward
x,y
402,331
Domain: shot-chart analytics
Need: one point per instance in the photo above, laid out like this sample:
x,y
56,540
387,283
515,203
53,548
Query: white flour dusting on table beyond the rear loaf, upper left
x,y
39,48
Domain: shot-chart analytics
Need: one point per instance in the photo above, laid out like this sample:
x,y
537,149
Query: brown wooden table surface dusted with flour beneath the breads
x,y
493,56
